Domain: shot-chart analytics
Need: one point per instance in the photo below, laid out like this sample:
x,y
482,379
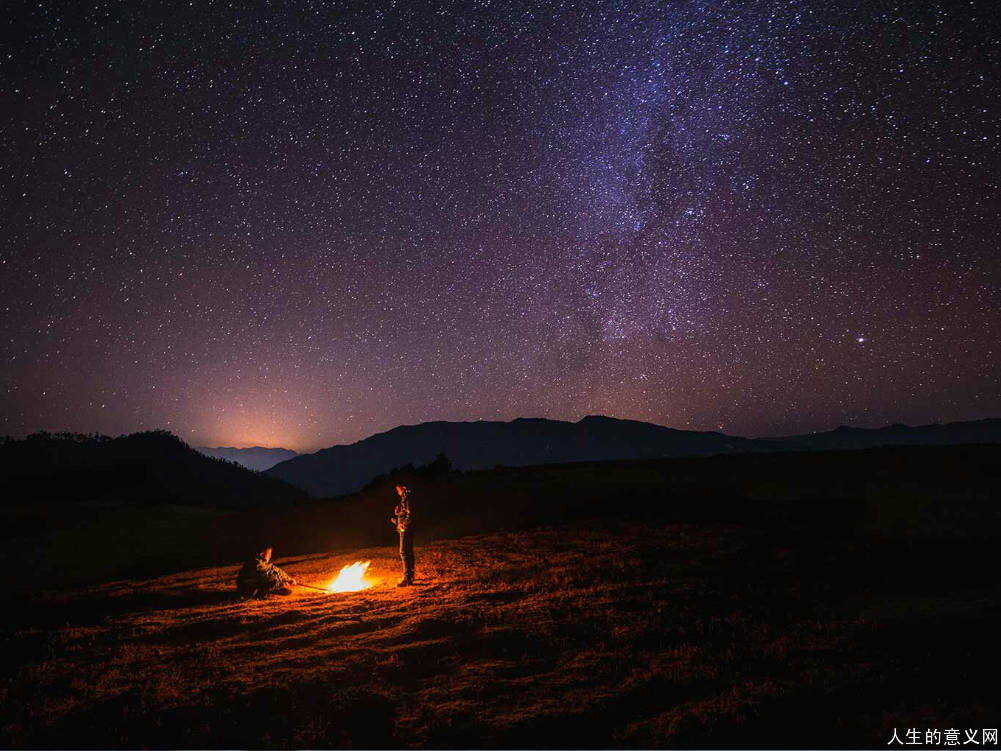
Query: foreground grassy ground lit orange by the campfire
x,y
587,636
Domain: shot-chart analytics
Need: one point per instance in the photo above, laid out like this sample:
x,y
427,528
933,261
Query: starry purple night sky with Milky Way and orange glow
x,y
298,225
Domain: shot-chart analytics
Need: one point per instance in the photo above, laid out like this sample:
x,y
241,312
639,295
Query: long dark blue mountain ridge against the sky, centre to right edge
x,y
341,470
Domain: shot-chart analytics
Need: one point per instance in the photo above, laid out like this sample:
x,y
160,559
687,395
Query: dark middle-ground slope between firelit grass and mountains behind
x,y
921,493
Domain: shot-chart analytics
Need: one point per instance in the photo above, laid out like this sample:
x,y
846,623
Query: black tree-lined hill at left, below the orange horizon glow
x,y
144,468
